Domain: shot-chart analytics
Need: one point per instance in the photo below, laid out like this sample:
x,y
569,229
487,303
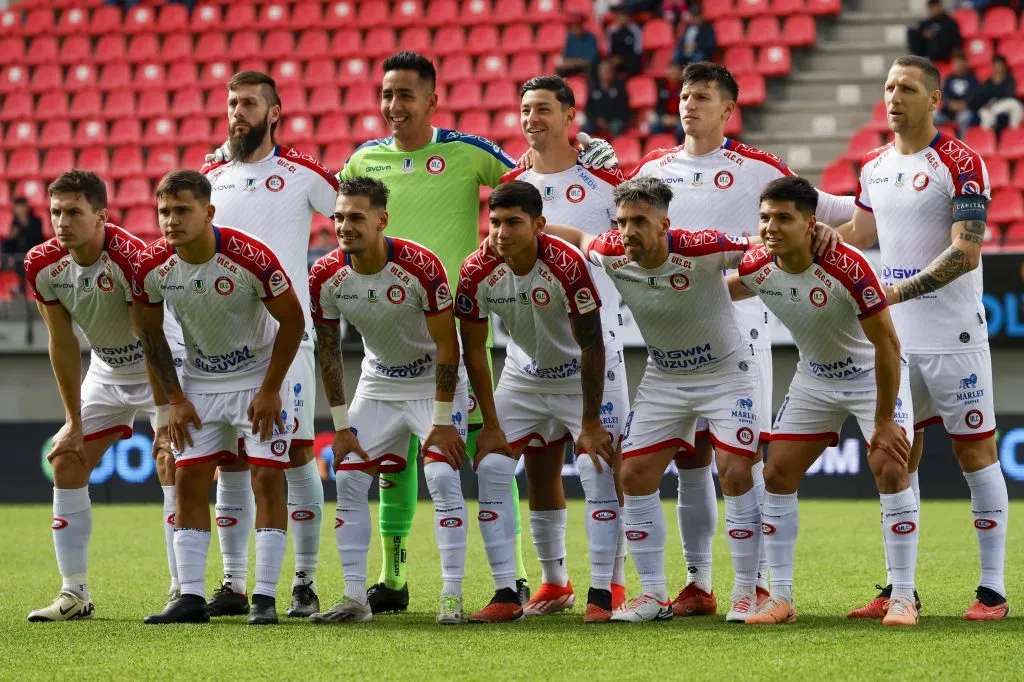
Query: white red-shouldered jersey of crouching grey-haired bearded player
x,y
682,307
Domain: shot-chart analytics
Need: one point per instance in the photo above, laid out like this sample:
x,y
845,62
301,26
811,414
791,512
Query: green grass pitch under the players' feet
x,y
839,560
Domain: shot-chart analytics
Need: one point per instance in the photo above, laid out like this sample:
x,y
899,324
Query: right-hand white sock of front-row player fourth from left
x,y
603,521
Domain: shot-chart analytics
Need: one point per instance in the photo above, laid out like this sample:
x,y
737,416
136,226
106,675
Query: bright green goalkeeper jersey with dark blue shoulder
x,y
435,191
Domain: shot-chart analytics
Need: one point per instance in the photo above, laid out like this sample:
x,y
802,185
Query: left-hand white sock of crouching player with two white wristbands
x,y
352,531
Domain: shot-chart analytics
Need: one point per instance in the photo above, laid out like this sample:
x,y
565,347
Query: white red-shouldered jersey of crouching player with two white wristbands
x,y
390,310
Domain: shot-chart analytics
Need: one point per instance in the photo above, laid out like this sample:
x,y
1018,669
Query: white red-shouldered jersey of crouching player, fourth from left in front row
x,y
543,356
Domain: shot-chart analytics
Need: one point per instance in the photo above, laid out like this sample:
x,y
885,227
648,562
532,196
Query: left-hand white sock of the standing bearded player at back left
x,y
236,511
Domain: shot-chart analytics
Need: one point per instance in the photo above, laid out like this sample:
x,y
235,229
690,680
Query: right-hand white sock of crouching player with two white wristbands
x,y
450,523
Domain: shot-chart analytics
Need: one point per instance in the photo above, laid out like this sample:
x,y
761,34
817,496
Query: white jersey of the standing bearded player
x,y
274,200
